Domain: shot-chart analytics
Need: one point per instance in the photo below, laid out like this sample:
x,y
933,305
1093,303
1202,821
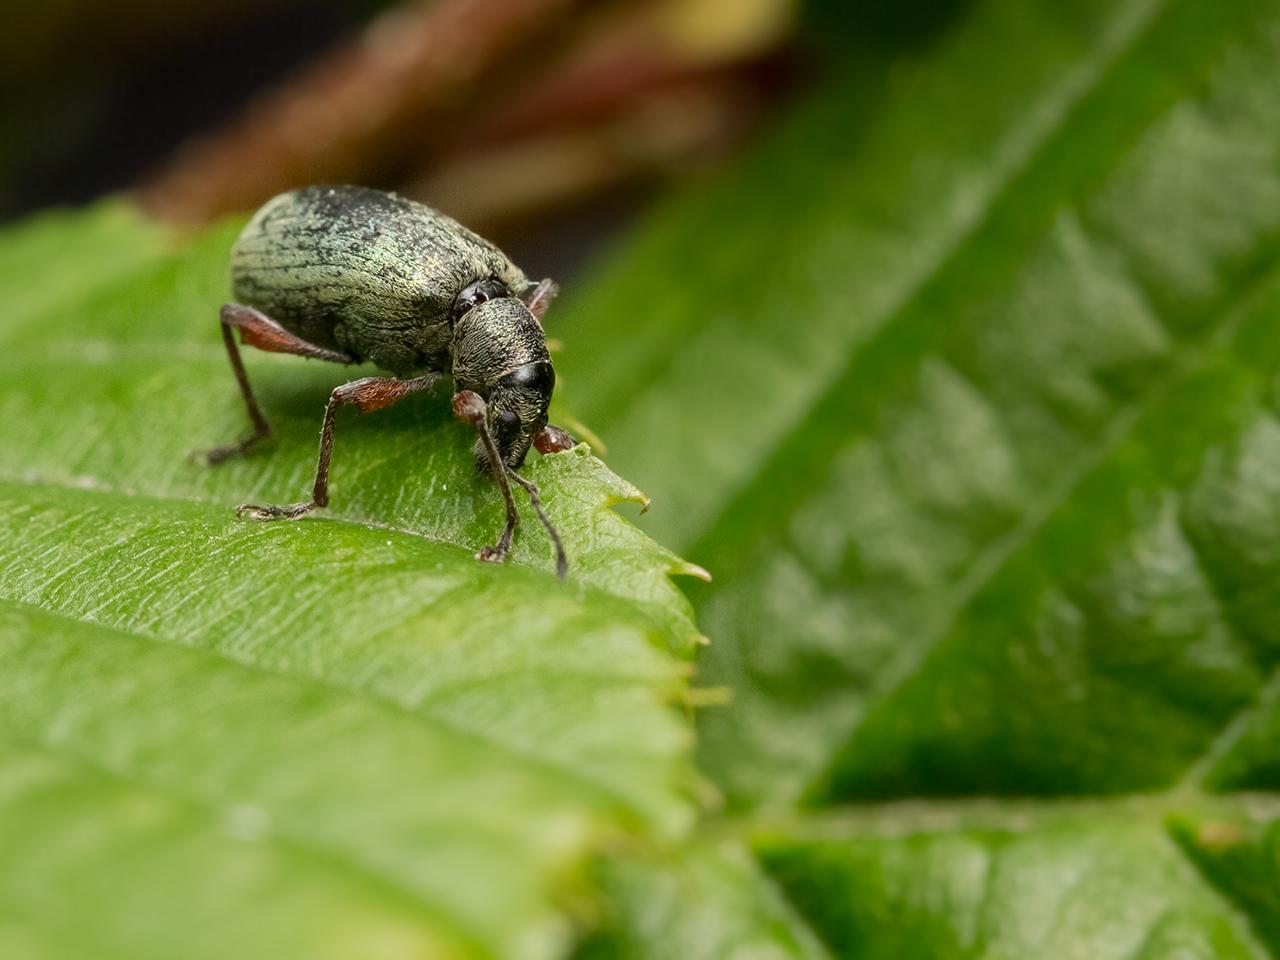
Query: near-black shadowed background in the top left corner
x,y
122,113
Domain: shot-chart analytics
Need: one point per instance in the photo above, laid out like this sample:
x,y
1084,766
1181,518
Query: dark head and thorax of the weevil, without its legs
x,y
500,351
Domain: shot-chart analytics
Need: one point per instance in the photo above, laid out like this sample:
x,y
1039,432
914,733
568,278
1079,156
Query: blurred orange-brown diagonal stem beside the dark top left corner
x,y
353,111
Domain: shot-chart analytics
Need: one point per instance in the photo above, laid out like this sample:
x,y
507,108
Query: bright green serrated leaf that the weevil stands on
x,y
336,738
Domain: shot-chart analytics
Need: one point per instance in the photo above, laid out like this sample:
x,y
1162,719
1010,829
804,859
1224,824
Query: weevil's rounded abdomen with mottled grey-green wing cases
x,y
364,272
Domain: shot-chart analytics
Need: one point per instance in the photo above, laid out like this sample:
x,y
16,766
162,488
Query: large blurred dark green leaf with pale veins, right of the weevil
x,y
964,387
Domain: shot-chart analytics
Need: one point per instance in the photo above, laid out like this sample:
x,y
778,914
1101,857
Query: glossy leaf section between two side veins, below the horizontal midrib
x,y
1100,884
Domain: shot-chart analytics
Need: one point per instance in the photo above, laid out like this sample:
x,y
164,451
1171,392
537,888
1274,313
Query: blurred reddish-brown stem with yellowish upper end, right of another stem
x,y
630,98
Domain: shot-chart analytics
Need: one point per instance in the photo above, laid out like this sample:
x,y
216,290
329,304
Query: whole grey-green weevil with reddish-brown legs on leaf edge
x,y
350,275
